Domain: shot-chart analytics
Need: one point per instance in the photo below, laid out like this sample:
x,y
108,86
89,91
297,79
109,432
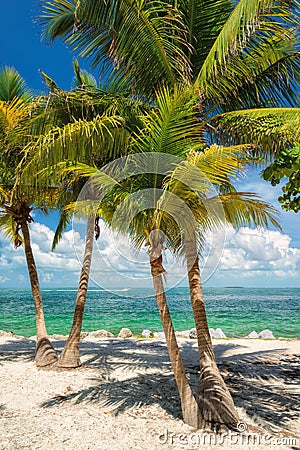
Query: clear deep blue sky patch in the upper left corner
x,y
21,46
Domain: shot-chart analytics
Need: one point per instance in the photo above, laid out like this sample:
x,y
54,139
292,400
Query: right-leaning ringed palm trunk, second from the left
x,y
70,356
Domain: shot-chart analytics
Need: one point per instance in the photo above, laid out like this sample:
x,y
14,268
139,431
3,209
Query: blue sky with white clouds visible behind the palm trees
x,y
251,257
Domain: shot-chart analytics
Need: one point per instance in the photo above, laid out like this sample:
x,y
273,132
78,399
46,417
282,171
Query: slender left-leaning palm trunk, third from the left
x,y
189,405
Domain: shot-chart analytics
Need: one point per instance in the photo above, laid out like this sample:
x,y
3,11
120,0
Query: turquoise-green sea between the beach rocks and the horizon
x,y
237,311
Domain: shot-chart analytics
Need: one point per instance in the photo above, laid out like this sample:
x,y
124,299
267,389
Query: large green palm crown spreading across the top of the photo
x,y
238,55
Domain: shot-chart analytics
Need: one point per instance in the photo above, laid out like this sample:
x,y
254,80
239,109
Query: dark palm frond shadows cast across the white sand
x,y
263,383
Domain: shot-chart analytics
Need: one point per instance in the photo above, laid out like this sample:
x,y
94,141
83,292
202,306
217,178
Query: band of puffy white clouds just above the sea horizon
x,y
248,254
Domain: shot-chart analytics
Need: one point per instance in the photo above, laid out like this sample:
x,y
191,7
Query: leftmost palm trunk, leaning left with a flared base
x,y
44,353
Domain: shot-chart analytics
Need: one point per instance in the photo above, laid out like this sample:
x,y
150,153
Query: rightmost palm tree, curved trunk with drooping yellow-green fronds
x,y
213,166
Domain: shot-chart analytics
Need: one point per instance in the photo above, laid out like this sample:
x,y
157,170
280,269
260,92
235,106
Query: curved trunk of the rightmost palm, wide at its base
x,y
215,402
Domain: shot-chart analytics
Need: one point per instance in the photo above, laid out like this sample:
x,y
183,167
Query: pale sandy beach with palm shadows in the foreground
x,y
124,397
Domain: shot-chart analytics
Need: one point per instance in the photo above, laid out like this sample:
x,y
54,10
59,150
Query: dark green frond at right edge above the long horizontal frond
x,y
260,80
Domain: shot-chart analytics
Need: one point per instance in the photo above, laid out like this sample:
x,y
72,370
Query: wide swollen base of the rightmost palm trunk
x,y
215,403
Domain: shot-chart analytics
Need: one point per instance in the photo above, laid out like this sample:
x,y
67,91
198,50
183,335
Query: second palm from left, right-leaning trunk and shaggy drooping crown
x,y
87,124
